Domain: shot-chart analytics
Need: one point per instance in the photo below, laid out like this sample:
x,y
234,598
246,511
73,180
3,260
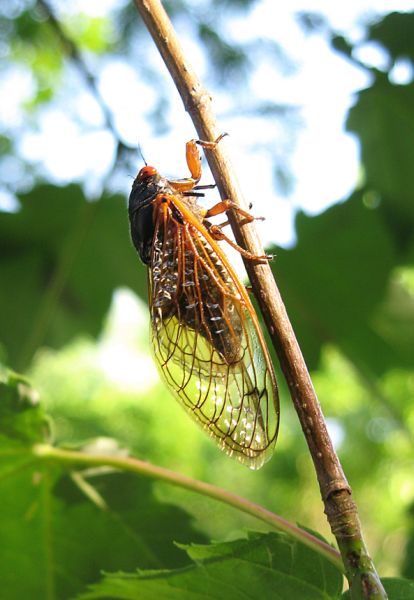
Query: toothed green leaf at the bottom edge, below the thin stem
x,y
264,566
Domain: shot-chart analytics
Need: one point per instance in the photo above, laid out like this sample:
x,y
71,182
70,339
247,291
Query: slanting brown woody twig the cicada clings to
x,y
336,494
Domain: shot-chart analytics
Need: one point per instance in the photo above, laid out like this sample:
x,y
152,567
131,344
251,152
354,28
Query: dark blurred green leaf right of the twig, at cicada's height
x,y
334,279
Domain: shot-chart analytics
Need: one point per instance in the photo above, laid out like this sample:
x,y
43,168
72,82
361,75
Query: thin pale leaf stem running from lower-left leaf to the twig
x,y
139,467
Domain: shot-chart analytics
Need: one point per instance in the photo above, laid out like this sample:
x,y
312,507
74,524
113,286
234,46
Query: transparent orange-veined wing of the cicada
x,y
207,345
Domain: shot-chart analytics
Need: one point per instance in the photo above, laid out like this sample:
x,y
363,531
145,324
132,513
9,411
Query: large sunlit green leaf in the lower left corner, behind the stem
x,y
59,530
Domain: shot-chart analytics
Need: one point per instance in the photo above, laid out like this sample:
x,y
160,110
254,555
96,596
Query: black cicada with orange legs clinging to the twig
x,y
205,333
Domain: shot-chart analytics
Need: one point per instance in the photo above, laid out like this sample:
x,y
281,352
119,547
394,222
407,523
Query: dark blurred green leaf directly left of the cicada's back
x,y
62,257
